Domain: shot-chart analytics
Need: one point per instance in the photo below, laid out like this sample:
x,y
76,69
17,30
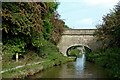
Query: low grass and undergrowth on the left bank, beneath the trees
x,y
52,58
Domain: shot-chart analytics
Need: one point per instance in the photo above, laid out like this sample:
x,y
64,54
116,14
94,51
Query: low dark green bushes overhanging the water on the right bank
x,y
109,59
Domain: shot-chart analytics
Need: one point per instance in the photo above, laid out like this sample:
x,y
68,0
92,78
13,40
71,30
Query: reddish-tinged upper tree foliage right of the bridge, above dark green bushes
x,y
108,32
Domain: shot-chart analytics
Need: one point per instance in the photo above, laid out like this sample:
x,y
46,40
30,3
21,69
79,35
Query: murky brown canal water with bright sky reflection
x,y
78,69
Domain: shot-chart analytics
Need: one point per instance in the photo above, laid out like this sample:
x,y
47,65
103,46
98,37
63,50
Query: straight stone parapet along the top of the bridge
x,y
78,32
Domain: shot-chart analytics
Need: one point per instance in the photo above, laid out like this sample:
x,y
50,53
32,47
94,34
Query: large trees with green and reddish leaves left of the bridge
x,y
30,25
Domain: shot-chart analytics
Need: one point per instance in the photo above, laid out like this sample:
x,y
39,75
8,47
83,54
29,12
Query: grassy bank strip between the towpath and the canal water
x,y
28,70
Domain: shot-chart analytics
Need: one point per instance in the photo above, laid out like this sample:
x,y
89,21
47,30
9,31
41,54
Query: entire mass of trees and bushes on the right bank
x,y
109,34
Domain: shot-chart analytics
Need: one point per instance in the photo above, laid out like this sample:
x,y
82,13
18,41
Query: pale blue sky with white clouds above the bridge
x,y
84,14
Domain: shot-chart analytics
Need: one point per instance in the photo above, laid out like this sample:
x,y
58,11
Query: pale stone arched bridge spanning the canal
x,y
78,37
